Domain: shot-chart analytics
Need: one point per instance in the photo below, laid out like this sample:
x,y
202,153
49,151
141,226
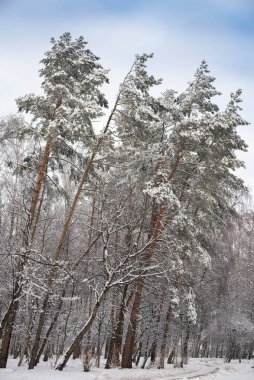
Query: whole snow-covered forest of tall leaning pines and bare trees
x,y
124,233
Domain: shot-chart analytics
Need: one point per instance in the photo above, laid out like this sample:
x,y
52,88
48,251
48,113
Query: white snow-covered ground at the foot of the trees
x,y
203,369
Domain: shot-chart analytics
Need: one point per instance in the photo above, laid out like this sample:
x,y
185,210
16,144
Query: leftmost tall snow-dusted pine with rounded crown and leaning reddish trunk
x,y
72,77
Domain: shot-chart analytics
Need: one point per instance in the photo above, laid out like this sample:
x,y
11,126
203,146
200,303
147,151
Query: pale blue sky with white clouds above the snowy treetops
x,y
180,33
